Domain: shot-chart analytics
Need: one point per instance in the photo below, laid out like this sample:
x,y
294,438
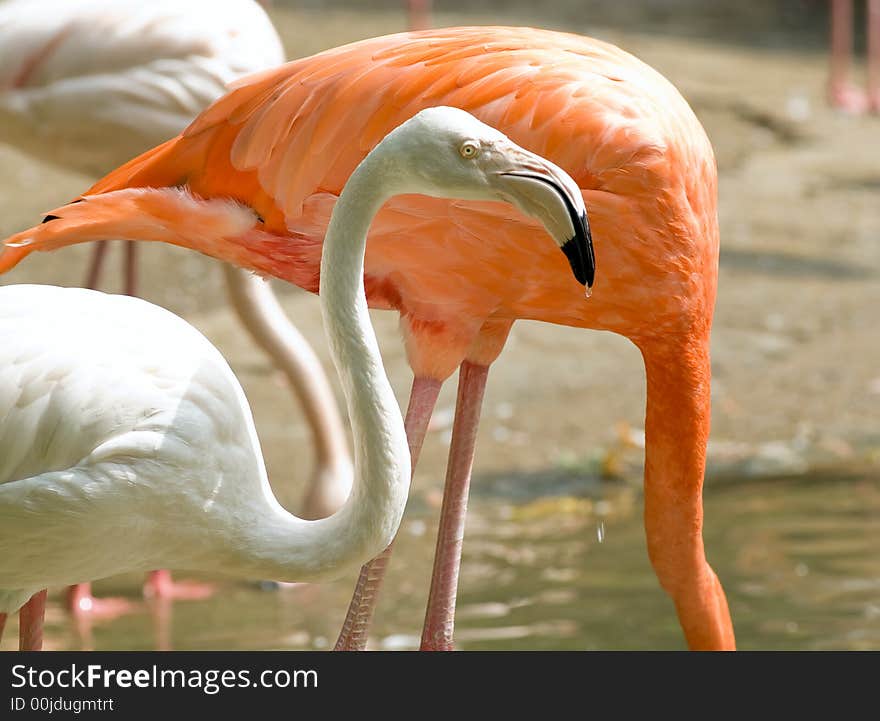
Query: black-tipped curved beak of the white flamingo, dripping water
x,y
545,191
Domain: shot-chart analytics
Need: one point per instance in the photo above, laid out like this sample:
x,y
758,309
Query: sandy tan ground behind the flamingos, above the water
x,y
795,347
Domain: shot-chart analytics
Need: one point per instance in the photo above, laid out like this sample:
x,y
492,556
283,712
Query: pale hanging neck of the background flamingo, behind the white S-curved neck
x,y
262,315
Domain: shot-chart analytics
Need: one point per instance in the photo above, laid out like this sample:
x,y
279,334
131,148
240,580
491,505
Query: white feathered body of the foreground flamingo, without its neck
x,y
127,442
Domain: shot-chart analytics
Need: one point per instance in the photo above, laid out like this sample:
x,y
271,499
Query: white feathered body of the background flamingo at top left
x,y
89,84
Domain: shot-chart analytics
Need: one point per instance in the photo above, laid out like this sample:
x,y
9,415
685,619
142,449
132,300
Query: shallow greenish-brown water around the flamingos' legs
x,y
798,559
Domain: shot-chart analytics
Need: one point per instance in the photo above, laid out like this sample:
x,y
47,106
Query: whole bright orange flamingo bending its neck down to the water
x,y
284,142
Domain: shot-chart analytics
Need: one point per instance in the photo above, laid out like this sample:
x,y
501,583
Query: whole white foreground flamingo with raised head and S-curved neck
x,y
126,442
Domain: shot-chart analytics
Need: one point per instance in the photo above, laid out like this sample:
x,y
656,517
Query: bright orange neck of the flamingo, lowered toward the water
x,y
676,433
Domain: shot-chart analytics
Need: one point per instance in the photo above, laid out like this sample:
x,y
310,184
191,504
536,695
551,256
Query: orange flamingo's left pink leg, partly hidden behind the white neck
x,y
356,627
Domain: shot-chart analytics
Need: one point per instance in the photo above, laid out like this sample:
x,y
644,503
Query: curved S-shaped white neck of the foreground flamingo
x,y
285,547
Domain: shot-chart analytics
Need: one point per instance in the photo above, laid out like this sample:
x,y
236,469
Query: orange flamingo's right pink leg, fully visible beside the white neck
x,y
440,615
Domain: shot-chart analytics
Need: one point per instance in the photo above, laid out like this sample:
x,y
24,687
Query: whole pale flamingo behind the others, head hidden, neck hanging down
x,y
88,84
